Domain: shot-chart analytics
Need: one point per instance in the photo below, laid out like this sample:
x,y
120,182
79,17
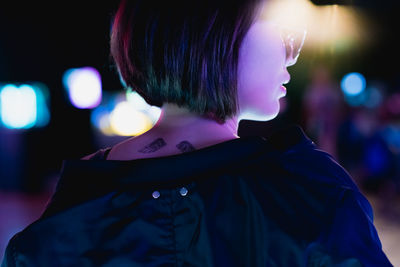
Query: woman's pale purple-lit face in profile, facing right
x,y
262,71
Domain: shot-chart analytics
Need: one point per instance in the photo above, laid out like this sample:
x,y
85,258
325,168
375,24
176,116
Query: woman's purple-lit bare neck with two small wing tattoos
x,y
177,131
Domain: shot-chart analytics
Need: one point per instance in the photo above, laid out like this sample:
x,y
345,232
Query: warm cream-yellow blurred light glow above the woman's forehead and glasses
x,y
340,26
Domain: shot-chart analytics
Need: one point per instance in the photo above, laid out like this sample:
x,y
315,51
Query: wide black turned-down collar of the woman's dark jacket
x,y
81,180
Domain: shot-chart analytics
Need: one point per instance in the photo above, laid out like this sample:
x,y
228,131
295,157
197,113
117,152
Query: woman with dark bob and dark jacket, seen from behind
x,y
190,192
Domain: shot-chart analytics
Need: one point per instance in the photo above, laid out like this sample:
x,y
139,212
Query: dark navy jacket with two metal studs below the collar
x,y
253,201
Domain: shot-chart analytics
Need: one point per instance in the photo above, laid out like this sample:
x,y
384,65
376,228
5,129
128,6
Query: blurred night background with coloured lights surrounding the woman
x,y
61,98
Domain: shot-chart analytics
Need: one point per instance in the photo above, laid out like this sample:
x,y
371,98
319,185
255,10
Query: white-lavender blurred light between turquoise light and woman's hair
x,y
83,86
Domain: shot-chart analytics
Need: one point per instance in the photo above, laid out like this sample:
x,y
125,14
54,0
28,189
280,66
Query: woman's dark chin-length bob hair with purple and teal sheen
x,y
183,52
